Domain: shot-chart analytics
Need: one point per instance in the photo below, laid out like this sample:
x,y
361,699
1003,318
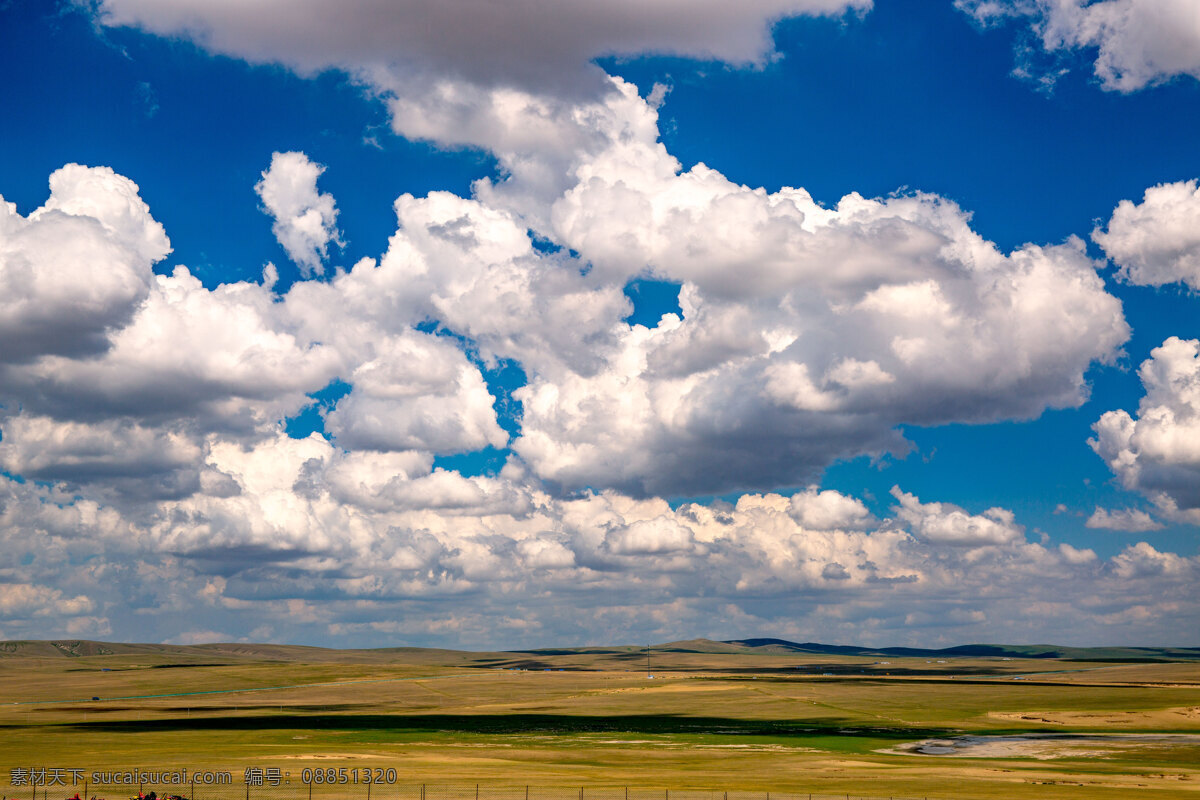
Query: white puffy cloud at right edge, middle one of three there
x,y
1159,240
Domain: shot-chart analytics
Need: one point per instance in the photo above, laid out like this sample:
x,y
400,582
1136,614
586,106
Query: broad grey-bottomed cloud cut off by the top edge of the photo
x,y
521,43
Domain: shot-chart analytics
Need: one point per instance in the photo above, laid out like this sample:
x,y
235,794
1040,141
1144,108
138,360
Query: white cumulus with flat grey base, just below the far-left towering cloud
x,y
224,359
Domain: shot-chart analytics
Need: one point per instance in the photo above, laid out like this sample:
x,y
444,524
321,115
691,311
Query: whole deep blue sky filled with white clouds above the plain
x,y
449,413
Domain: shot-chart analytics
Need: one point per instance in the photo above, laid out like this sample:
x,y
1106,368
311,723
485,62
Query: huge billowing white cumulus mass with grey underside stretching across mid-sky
x,y
844,324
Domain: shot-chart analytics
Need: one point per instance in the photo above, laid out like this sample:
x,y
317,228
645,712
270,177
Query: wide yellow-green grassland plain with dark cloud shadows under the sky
x,y
715,717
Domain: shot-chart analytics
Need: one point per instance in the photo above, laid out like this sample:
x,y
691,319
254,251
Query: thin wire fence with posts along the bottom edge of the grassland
x,y
363,784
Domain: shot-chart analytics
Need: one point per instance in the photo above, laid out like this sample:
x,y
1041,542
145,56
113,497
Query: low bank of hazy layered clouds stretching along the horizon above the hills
x,y
293,552
